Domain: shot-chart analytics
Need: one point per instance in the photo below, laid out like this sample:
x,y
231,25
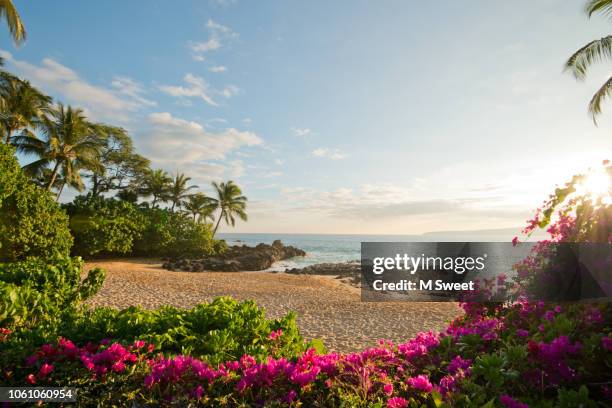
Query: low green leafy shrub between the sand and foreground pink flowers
x,y
217,331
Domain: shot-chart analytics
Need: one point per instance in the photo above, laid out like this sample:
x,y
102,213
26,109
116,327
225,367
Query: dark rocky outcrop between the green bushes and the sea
x,y
238,258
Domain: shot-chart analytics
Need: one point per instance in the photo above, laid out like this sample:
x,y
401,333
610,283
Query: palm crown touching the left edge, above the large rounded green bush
x,y
23,106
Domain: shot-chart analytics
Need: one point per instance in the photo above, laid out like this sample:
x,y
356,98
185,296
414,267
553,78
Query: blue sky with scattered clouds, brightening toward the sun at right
x,y
360,117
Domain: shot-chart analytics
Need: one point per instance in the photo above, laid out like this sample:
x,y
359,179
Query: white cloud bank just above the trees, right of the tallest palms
x,y
181,142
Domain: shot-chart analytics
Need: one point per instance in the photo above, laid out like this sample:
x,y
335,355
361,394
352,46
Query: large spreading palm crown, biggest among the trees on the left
x,y
71,143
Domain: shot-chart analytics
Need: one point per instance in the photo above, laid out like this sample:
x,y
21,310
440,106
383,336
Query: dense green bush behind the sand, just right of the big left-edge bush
x,y
103,226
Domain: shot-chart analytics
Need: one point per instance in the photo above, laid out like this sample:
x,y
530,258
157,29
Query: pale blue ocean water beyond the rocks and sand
x,y
322,248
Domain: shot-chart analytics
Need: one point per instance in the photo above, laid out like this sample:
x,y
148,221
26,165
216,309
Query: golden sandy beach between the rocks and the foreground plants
x,y
326,308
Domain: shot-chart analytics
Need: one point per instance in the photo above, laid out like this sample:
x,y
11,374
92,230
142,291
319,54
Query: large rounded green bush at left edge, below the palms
x,y
31,223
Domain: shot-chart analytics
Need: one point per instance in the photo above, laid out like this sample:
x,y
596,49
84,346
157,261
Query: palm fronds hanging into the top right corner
x,y
592,52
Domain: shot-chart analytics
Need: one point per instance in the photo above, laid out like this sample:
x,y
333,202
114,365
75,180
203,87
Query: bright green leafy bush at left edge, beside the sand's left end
x,y
35,291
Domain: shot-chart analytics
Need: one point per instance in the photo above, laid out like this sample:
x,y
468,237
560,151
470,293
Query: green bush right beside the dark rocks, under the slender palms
x,y
169,234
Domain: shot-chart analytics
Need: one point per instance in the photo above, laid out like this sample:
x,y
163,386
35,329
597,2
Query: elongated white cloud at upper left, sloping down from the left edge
x,y
100,103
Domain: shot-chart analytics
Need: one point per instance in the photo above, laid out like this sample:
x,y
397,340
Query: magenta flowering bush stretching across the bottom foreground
x,y
511,355
